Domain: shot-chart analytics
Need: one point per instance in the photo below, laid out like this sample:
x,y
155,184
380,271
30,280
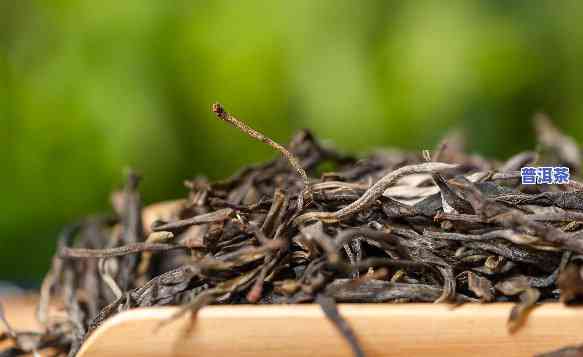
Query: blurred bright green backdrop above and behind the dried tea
x,y
89,88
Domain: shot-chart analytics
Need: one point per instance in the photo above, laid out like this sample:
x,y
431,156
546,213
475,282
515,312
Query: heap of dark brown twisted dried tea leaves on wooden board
x,y
392,227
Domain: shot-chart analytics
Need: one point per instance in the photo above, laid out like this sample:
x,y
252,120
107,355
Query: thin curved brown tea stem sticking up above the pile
x,y
293,161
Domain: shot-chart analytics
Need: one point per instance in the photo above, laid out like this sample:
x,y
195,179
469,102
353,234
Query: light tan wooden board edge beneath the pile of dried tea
x,y
302,330
